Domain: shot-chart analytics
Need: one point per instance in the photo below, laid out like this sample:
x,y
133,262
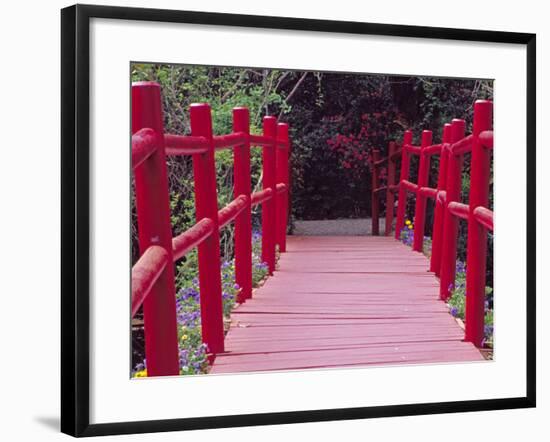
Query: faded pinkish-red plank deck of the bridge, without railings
x,y
344,301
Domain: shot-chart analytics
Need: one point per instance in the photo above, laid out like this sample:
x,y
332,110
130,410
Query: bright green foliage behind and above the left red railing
x,y
262,91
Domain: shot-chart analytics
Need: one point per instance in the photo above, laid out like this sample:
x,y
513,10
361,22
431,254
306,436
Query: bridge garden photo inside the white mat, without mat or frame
x,y
287,220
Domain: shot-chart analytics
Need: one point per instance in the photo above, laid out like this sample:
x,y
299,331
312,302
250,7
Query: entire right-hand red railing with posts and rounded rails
x,y
448,206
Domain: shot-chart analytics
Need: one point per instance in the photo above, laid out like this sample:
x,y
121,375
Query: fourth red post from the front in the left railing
x,y
269,207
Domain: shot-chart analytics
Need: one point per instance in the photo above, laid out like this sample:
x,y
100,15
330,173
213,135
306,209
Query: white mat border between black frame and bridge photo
x,y
115,398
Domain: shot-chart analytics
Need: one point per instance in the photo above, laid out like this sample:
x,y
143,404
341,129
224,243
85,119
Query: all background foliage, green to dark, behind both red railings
x,y
336,120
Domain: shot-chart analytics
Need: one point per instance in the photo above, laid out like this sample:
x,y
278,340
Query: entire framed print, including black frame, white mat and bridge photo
x,y
273,220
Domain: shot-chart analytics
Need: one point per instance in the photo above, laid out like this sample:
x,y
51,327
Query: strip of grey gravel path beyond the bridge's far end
x,y
338,227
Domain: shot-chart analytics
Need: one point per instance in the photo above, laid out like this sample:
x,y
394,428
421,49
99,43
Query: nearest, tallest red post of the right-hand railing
x,y
477,234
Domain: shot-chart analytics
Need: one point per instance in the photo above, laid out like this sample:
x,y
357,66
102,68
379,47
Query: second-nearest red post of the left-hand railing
x,y
206,206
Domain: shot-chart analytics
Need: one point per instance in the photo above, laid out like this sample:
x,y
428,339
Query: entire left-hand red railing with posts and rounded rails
x,y
153,275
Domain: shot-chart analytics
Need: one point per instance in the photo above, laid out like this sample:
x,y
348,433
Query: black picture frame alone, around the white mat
x,y
75,211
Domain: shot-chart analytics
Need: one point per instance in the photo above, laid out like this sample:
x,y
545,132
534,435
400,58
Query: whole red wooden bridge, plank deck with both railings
x,y
332,301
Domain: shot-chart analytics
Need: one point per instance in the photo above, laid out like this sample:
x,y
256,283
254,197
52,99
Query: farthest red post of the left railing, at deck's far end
x,y
282,174
